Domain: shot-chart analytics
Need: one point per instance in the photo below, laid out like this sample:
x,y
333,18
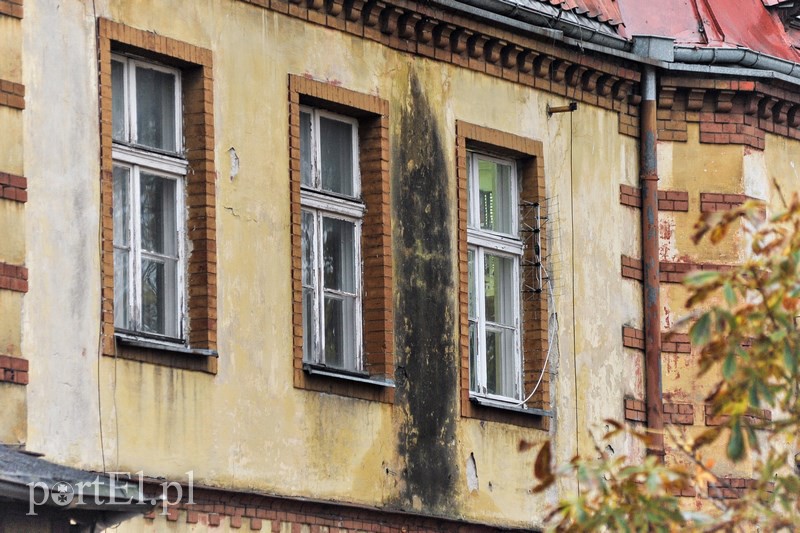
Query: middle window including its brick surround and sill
x,y
341,234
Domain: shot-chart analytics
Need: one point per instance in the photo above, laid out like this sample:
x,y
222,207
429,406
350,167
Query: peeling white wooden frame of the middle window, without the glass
x,y
321,203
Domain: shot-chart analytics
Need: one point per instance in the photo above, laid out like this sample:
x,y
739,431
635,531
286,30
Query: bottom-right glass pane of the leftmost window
x,y
159,297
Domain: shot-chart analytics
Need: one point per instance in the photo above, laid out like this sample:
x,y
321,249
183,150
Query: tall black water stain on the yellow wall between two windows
x,y
425,307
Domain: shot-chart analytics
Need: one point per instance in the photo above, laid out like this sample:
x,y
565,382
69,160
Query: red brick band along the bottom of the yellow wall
x,y
272,513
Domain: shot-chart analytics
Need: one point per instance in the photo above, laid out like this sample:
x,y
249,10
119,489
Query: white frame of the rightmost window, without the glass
x,y
507,245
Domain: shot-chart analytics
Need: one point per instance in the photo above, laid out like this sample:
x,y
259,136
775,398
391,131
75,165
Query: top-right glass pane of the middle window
x,y
336,147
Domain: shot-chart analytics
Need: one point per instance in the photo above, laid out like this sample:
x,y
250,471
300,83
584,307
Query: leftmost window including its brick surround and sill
x,y
158,199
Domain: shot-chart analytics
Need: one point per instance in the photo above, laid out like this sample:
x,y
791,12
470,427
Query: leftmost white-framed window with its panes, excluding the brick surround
x,y
148,174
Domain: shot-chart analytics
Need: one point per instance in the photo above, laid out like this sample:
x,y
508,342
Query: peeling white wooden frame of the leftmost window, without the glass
x,y
166,164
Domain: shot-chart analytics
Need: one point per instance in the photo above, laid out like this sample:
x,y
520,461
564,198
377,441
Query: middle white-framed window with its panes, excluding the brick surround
x,y
331,224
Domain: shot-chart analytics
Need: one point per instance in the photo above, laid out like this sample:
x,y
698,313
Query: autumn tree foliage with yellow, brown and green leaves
x,y
745,336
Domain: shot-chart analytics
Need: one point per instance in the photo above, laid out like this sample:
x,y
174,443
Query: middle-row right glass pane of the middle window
x,y
339,254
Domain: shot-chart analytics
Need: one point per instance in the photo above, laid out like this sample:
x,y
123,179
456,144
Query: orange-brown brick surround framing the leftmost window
x,y
195,65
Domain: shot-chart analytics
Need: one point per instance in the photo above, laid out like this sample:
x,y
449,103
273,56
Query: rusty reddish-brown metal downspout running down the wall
x,y
652,321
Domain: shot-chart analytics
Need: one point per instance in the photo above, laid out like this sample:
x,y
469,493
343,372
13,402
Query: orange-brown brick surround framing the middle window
x,y
372,114
